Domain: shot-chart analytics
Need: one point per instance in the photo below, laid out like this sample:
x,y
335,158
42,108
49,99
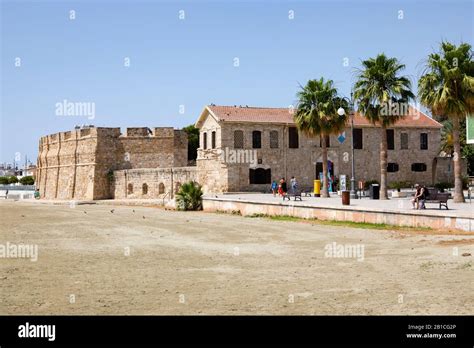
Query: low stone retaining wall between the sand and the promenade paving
x,y
448,221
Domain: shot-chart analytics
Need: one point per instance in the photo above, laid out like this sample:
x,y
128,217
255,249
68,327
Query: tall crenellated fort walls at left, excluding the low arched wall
x,y
79,164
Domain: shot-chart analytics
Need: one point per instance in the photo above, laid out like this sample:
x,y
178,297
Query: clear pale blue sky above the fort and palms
x,y
189,63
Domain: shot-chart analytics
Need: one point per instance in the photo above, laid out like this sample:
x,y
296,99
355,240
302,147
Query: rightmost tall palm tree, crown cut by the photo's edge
x,y
447,89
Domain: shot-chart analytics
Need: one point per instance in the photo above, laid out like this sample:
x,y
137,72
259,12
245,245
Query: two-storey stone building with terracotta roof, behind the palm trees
x,y
244,148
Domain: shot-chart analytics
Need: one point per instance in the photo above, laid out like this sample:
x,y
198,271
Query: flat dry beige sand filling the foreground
x,y
203,263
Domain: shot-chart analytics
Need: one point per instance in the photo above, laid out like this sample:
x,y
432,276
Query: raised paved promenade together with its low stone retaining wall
x,y
395,211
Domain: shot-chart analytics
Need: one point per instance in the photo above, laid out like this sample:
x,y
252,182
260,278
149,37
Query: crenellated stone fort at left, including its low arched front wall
x,y
100,163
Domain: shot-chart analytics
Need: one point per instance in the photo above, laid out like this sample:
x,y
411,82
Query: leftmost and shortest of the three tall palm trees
x,y
316,114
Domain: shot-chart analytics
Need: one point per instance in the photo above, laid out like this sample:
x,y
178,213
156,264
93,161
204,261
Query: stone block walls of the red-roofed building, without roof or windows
x,y
301,162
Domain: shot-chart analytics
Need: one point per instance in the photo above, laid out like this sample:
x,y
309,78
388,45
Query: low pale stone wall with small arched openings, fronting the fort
x,y
151,183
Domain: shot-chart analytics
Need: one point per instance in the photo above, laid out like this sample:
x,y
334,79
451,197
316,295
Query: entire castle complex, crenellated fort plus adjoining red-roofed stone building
x,y
92,163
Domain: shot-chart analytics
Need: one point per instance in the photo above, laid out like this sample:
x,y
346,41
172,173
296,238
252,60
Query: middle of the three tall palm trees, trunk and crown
x,y
382,96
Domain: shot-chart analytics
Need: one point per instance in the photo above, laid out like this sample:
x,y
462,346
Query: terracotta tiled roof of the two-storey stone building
x,y
415,118
